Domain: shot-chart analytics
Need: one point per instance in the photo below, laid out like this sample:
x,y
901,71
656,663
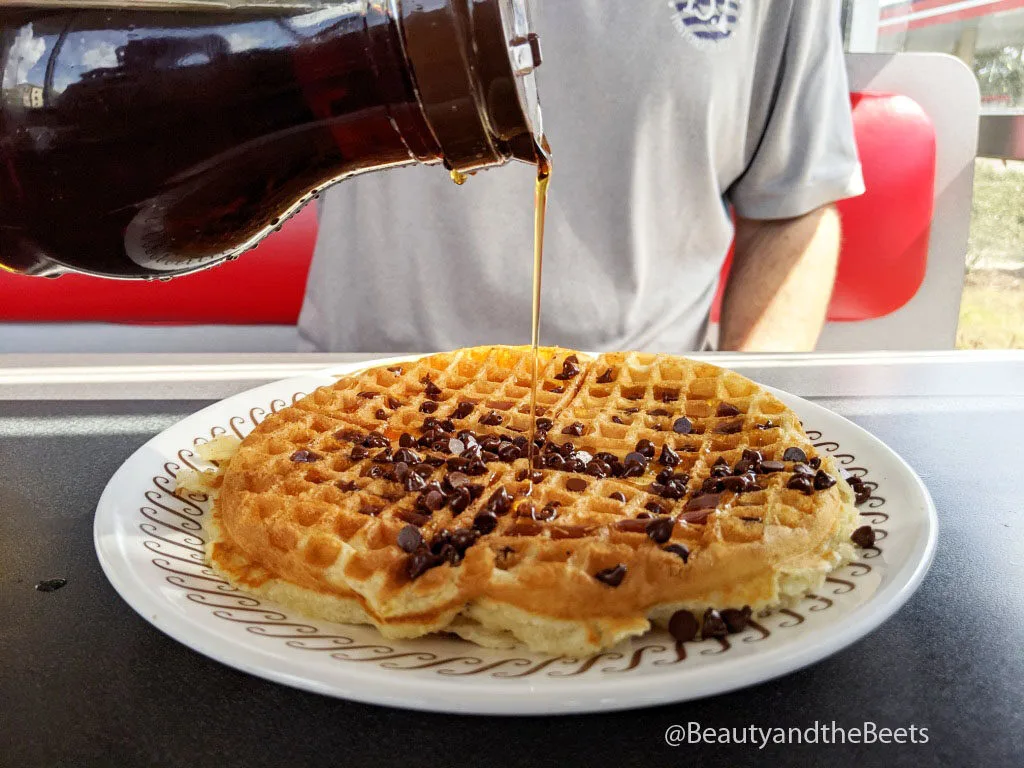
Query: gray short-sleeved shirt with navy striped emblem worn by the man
x,y
660,116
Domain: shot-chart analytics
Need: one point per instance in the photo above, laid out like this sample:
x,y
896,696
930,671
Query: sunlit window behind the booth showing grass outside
x,y
989,37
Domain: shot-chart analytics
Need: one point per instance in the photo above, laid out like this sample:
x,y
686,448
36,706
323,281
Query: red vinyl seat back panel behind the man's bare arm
x,y
885,231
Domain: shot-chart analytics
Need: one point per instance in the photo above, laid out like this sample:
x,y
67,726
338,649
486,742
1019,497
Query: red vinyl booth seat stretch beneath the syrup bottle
x,y
264,287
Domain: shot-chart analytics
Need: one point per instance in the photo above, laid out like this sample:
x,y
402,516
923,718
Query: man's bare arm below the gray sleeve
x,y
781,283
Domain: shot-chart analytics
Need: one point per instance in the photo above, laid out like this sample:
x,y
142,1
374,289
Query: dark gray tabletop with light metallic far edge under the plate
x,y
86,681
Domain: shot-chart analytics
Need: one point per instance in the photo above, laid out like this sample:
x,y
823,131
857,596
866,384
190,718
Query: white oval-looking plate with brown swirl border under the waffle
x,y
150,544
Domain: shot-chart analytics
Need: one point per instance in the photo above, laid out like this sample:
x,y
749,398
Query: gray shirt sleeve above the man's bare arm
x,y
807,156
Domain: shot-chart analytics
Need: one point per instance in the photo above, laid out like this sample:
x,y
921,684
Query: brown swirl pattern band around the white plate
x,y
174,529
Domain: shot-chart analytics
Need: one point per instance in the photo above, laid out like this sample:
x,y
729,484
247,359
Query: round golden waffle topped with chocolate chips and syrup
x,y
405,497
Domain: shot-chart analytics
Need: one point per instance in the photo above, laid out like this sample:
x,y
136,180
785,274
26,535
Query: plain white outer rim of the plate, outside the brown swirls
x,y
487,698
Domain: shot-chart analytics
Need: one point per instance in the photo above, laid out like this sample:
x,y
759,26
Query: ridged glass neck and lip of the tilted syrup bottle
x,y
473,64
